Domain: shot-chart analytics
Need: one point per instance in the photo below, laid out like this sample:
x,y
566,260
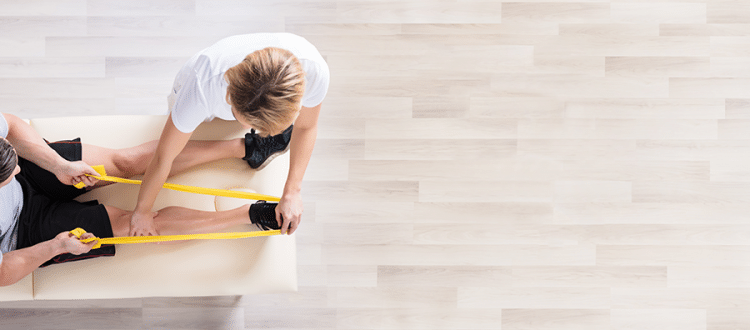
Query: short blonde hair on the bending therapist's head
x,y
266,89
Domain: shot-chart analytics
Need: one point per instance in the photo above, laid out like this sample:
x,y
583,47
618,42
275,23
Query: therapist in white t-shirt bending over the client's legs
x,y
274,83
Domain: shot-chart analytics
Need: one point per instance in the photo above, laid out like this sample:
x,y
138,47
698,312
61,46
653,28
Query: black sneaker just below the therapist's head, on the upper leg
x,y
259,151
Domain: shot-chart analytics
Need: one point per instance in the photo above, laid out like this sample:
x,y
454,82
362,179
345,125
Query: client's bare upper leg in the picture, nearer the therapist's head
x,y
133,161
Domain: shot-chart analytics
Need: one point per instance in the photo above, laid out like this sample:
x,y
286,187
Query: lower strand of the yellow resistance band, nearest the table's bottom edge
x,y
78,232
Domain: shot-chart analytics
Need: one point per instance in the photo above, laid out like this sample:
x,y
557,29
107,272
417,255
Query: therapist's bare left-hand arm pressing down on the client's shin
x,y
171,143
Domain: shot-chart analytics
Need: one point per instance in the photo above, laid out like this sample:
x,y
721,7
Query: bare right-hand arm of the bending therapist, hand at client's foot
x,y
301,145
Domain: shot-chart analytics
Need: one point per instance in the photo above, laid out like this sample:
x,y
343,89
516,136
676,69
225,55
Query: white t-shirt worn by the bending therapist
x,y
199,91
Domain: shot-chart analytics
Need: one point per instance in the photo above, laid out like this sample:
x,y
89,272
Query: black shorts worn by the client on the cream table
x,y
49,208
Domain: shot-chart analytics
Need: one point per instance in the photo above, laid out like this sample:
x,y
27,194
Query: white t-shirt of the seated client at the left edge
x,y
11,203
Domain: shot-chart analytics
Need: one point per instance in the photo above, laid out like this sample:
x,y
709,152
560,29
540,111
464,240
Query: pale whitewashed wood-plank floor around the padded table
x,y
480,164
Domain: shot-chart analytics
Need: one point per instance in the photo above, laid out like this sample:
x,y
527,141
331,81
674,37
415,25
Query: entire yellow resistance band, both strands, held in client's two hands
x,y
168,238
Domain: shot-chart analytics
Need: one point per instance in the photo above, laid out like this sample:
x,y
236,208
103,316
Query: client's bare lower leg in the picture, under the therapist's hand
x,y
175,220
